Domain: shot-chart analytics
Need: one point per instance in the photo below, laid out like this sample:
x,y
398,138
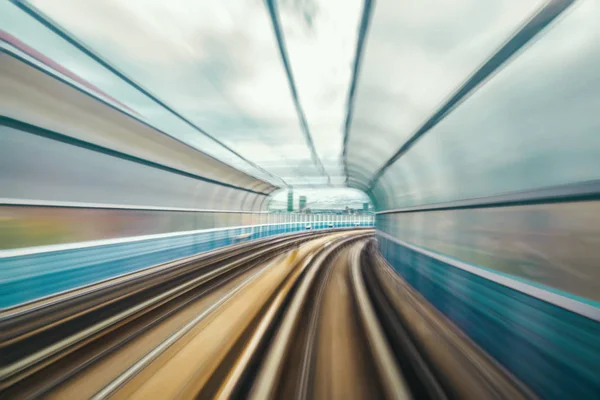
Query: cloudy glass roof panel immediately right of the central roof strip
x,y
417,53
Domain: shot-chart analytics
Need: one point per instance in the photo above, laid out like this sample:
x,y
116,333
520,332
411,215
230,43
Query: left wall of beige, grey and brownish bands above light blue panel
x,y
77,166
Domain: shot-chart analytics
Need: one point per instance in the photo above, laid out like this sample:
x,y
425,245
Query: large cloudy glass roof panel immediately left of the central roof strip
x,y
216,63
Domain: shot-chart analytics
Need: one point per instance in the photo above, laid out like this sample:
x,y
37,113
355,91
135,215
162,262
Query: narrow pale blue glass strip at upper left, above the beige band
x,y
29,38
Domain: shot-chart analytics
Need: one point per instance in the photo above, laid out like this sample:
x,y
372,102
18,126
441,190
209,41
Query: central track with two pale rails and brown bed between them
x,y
328,344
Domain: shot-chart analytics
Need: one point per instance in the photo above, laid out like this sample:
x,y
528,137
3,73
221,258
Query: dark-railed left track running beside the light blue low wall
x,y
46,342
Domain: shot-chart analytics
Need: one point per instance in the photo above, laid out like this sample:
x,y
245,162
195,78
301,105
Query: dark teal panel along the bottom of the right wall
x,y
554,351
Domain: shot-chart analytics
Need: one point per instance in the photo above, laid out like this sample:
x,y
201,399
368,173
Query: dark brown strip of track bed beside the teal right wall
x,y
437,359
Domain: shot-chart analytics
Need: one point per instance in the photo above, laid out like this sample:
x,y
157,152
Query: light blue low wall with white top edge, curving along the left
x,y
34,272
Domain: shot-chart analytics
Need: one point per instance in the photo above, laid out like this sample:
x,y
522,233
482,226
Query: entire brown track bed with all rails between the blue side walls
x,y
306,316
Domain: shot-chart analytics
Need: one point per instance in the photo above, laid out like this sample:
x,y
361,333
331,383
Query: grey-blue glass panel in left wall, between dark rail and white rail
x,y
50,175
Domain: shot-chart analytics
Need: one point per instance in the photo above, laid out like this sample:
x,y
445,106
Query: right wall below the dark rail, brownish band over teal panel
x,y
517,273
